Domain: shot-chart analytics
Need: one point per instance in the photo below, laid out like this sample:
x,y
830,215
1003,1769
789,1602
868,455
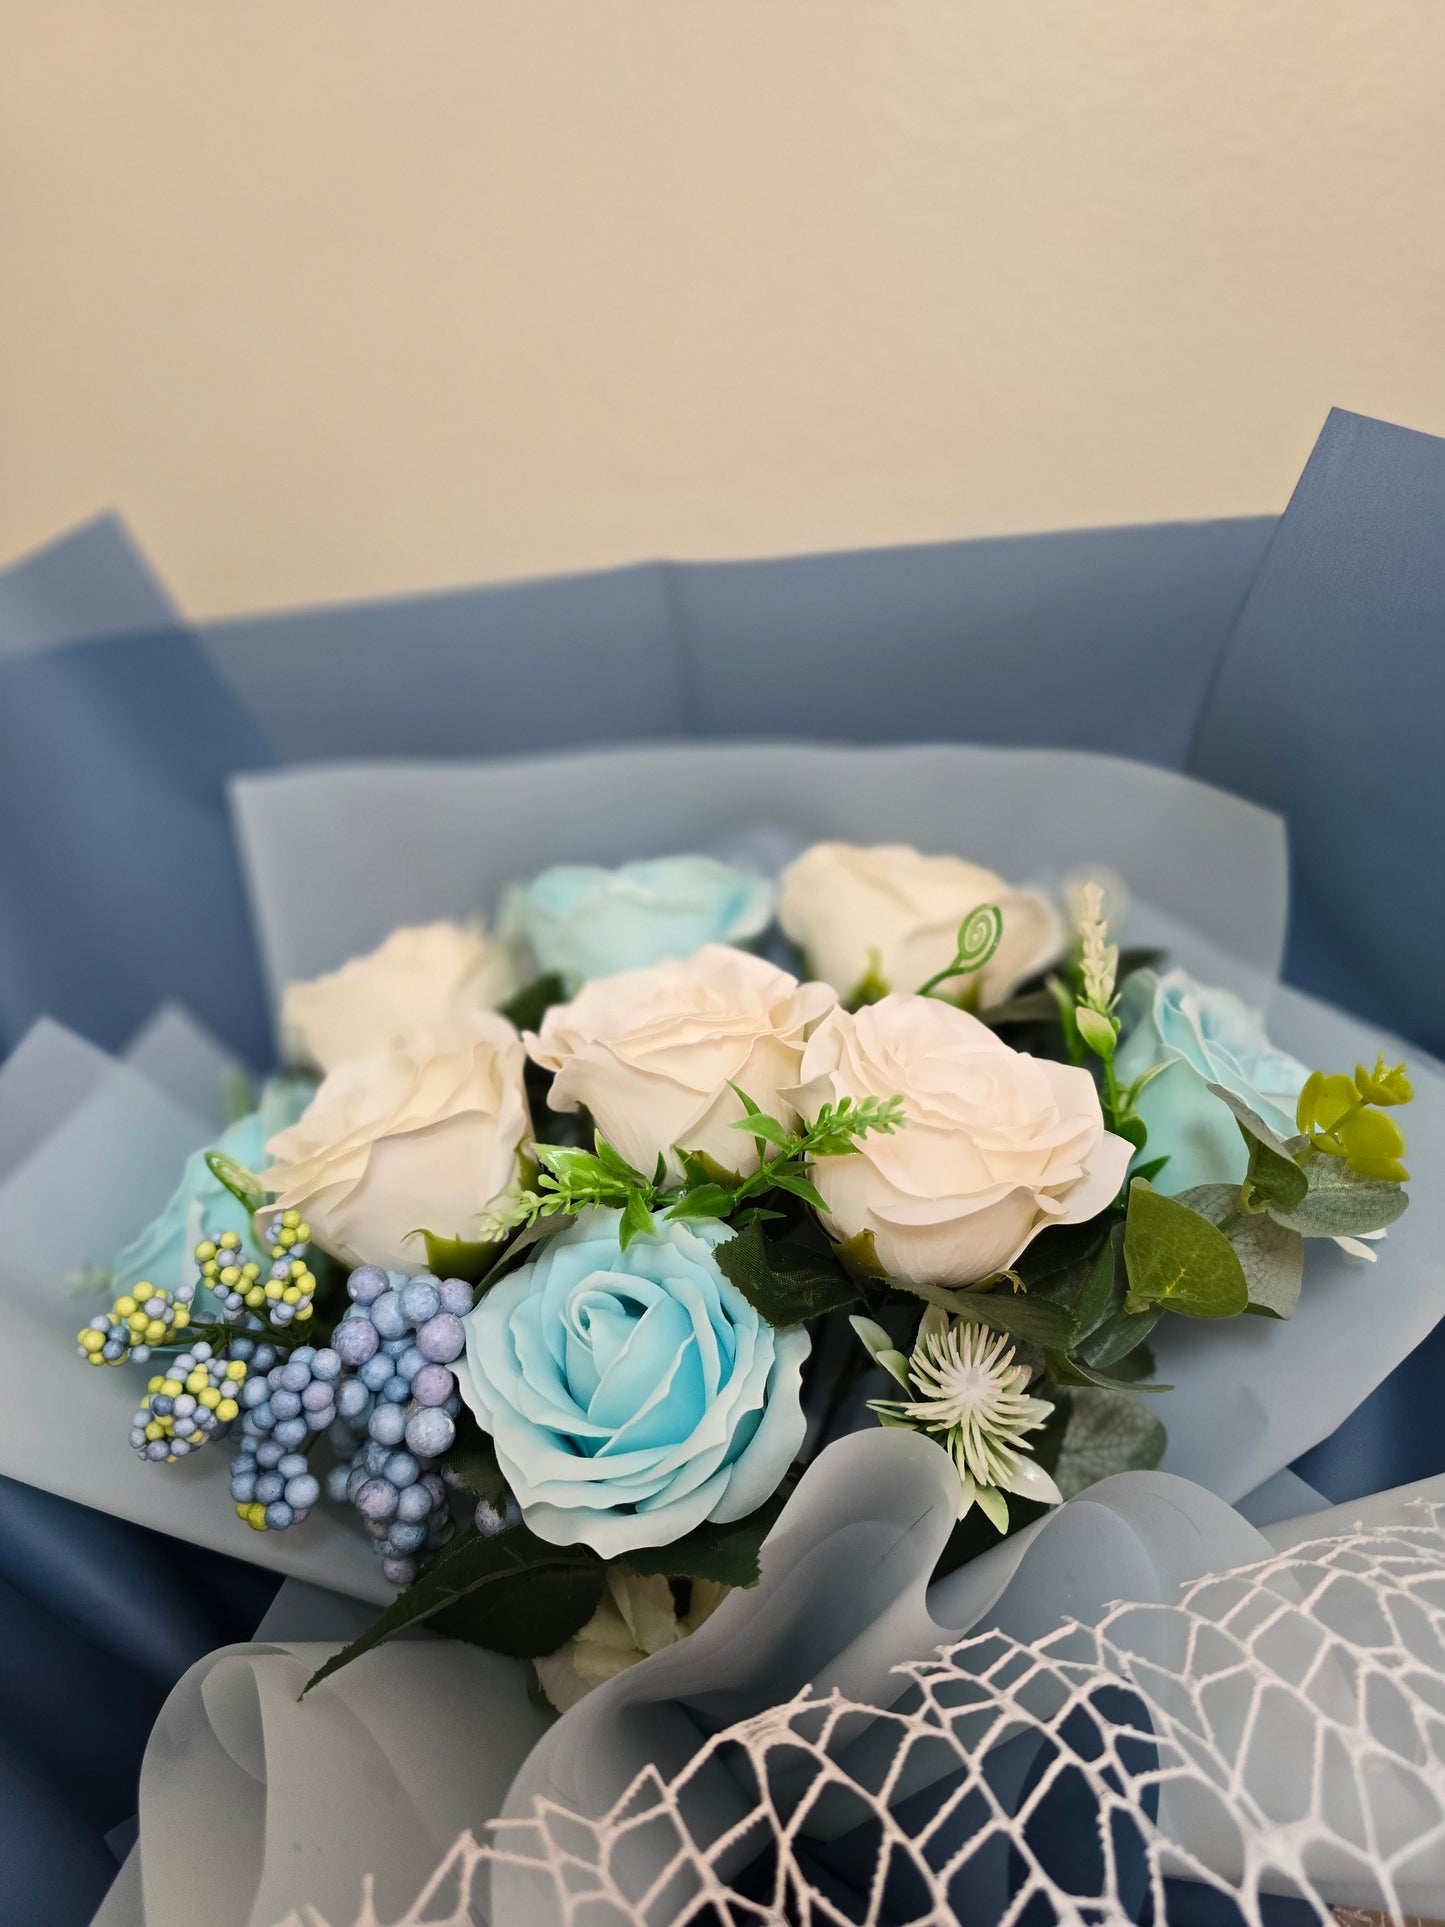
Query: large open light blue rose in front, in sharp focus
x,y
633,1394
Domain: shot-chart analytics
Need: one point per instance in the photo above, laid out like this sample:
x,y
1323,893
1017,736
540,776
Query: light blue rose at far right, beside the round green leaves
x,y
1203,1038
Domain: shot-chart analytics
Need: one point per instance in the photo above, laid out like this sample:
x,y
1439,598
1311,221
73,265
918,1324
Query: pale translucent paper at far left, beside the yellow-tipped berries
x,y
92,1148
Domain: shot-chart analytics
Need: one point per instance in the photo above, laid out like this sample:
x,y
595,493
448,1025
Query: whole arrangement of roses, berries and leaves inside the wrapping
x,y
556,1255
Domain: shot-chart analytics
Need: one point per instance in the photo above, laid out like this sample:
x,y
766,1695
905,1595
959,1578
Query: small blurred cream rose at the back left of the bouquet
x,y
433,978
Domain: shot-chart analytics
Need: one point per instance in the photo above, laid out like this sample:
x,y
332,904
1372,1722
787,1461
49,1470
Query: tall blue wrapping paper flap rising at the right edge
x,y
1328,708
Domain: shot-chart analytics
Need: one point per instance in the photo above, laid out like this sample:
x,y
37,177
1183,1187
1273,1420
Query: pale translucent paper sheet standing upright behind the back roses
x,y
336,857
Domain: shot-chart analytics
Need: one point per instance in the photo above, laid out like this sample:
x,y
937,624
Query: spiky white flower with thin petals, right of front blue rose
x,y
970,1392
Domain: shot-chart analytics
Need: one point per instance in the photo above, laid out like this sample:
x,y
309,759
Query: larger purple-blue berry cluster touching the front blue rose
x,y
398,1344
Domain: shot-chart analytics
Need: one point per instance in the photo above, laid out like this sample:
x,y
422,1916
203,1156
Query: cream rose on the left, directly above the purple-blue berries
x,y
421,1136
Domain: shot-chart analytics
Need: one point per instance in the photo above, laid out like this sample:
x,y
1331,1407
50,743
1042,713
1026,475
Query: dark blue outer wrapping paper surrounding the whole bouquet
x,y
1296,664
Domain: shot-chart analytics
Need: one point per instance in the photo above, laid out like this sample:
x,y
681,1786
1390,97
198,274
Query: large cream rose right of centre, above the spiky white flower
x,y
997,1148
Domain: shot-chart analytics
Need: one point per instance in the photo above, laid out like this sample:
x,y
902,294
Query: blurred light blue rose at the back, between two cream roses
x,y
583,922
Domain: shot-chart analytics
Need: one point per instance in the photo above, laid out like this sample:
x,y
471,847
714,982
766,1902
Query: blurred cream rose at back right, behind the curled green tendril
x,y
891,918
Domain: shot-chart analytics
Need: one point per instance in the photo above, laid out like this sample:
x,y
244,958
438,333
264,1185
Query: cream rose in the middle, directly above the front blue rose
x,y
652,1053
